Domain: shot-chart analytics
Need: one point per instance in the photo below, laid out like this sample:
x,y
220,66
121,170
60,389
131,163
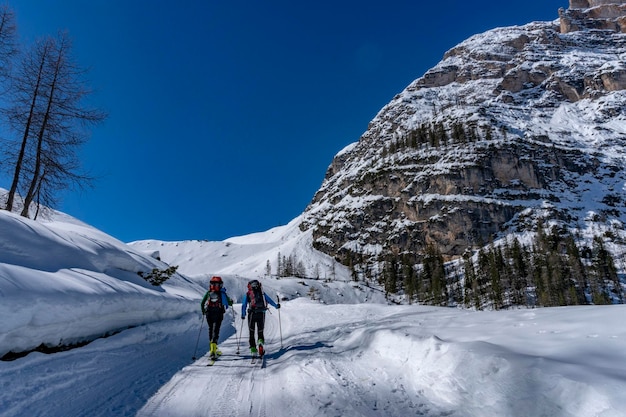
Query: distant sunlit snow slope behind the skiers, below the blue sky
x,y
239,259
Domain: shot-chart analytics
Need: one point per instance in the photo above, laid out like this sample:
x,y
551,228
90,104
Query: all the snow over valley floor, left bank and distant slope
x,y
334,348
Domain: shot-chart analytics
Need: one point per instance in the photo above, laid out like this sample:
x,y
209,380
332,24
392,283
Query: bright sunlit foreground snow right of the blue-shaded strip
x,y
373,360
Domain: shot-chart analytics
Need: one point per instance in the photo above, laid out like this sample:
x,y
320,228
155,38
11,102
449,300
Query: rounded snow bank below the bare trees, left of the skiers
x,y
63,282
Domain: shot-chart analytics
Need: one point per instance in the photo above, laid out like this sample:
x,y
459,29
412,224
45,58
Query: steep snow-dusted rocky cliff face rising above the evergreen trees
x,y
513,126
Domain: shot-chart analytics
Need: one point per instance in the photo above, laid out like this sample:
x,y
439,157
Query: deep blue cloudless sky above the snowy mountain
x,y
224,115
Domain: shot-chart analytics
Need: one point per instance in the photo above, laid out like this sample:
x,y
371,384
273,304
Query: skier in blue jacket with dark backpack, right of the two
x,y
257,301
